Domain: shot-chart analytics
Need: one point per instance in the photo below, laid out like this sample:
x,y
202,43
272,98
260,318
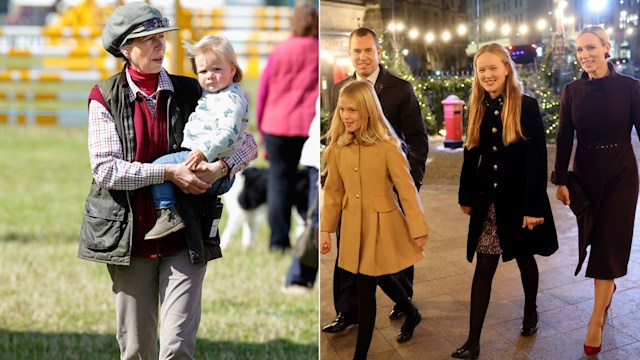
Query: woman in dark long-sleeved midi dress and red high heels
x,y
600,108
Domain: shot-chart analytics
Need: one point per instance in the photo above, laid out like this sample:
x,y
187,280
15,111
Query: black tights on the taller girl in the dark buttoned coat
x,y
486,266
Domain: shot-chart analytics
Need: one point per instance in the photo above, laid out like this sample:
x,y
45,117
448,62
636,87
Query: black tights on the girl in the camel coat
x,y
366,286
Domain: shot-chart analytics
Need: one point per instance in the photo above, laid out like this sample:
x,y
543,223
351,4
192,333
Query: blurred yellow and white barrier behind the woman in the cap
x,y
68,54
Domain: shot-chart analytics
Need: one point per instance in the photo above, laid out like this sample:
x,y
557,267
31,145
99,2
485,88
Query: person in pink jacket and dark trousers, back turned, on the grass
x,y
285,108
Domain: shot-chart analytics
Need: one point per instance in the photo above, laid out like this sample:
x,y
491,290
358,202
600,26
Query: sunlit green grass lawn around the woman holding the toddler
x,y
55,306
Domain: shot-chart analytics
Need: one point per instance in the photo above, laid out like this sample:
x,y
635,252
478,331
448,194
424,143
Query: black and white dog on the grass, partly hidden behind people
x,y
246,204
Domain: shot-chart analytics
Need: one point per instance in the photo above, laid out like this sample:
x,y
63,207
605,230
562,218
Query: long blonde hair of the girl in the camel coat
x,y
374,125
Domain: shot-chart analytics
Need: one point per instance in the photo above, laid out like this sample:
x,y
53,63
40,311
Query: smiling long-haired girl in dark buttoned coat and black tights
x,y
503,188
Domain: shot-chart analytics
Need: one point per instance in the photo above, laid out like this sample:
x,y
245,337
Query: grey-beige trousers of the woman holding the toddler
x,y
176,284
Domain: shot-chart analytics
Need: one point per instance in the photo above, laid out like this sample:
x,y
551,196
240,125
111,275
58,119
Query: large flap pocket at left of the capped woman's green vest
x,y
104,224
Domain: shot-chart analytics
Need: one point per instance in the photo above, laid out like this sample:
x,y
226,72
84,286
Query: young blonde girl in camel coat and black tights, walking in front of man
x,y
363,163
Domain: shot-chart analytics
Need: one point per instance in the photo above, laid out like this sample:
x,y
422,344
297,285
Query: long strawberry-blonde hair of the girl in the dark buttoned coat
x,y
512,106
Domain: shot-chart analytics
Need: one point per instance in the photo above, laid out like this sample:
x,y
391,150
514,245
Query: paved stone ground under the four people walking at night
x,y
443,282
